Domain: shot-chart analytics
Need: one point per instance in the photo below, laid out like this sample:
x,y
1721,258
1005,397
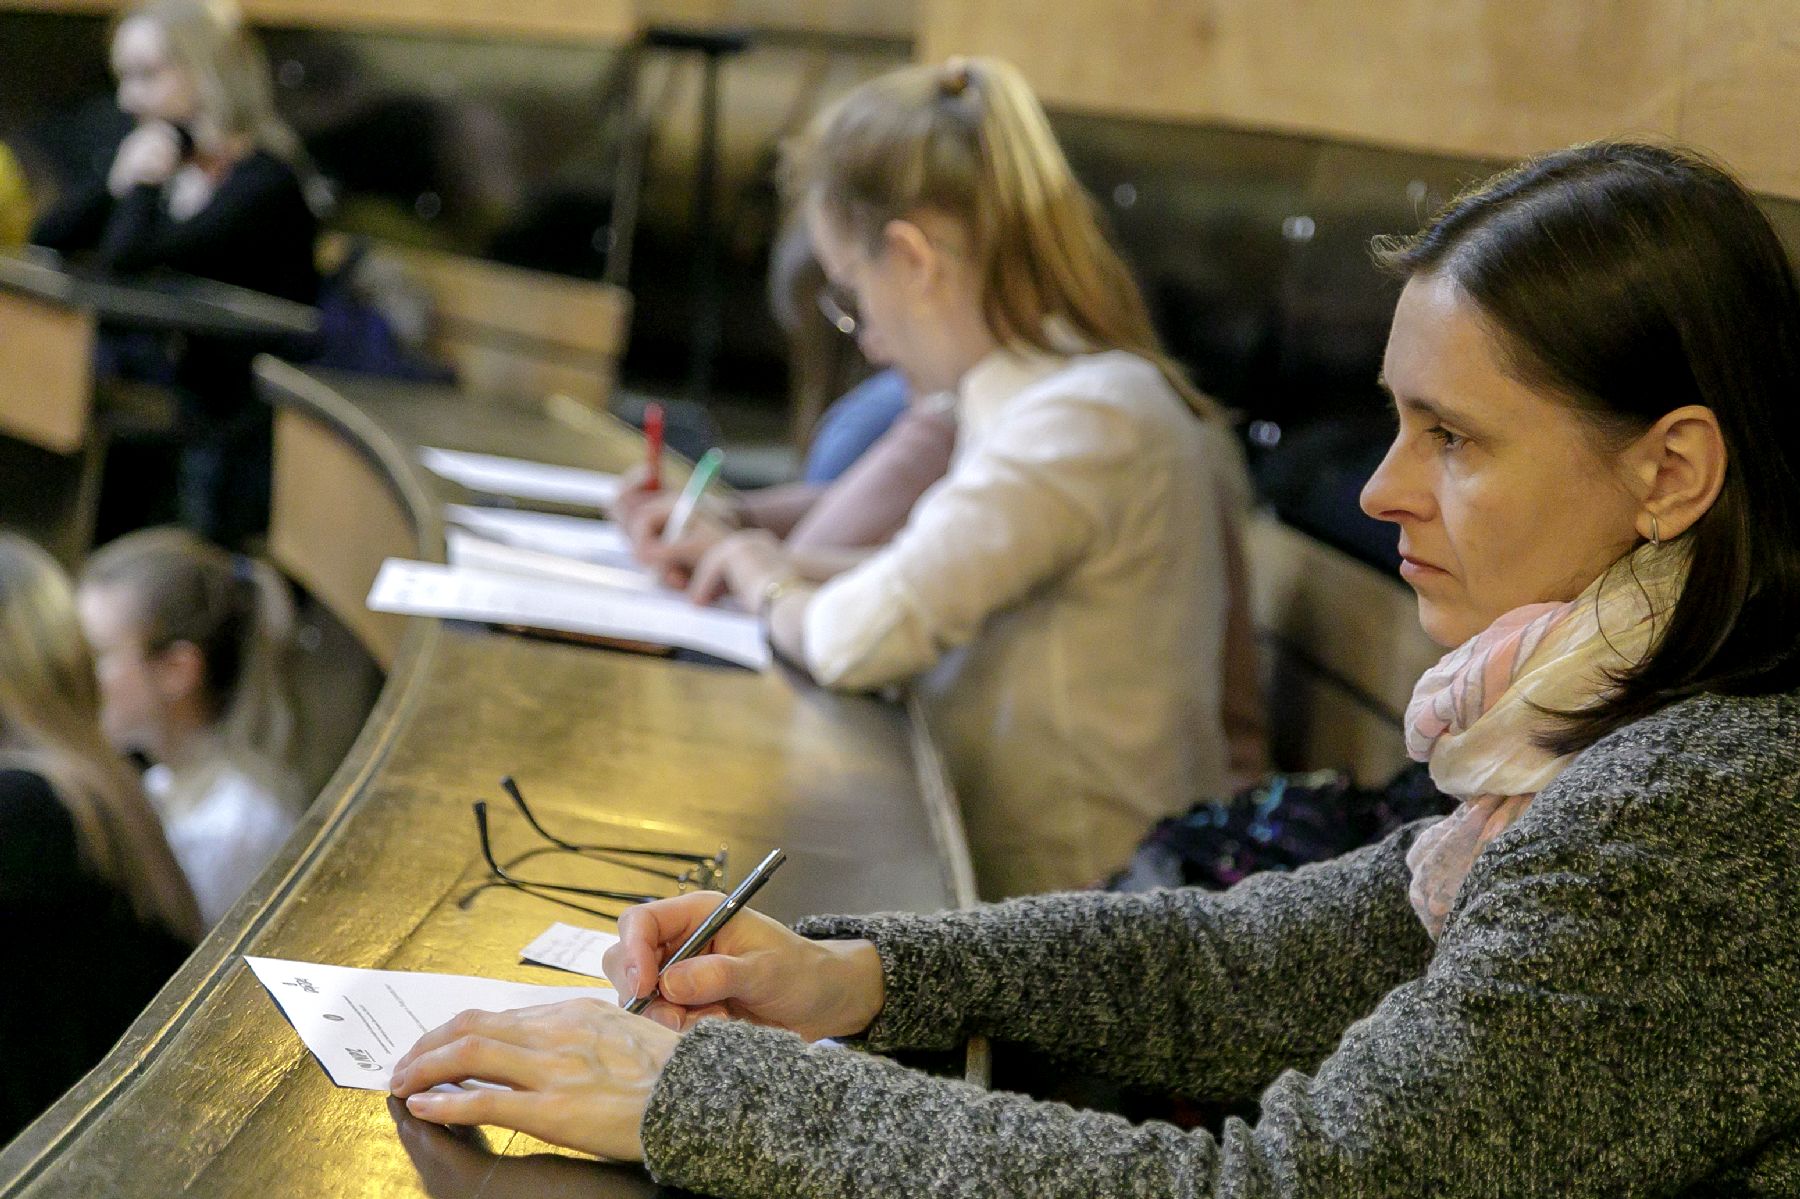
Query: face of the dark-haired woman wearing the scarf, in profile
x,y
1504,496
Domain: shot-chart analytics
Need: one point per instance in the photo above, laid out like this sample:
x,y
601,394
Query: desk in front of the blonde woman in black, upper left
x,y
49,320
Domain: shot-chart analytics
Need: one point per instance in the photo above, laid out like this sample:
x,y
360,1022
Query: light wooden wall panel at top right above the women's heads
x,y
1486,78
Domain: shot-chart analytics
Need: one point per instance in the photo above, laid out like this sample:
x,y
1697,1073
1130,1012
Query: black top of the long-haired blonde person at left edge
x,y
76,964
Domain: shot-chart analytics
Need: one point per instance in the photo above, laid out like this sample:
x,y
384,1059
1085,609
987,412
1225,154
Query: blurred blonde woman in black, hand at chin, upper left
x,y
210,183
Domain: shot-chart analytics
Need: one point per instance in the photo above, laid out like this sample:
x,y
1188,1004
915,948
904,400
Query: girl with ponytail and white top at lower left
x,y
192,645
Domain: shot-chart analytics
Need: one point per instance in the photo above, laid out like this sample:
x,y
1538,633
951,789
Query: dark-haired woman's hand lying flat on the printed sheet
x,y
580,1074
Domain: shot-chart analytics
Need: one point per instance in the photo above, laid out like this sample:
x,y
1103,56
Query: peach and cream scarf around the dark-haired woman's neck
x,y
1475,714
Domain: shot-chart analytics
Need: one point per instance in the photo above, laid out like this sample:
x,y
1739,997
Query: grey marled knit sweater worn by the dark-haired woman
x,y
1612,1011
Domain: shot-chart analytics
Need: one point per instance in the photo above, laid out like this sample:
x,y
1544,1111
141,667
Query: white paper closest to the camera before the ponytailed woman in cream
x,y
463,593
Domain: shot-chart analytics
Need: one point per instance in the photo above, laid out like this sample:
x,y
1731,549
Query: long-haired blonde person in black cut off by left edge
x,y
94,908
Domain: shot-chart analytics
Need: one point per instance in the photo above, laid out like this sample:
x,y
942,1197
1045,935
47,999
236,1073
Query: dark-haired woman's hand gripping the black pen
x,y
755,969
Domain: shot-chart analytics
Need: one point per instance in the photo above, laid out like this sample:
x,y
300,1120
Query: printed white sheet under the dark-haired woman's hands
x,y
357,1022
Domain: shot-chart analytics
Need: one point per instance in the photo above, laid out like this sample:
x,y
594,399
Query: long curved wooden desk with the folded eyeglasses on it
x,y
211,1094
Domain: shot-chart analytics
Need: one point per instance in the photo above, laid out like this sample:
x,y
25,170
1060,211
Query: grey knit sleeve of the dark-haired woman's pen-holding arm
x,y
1194,991
